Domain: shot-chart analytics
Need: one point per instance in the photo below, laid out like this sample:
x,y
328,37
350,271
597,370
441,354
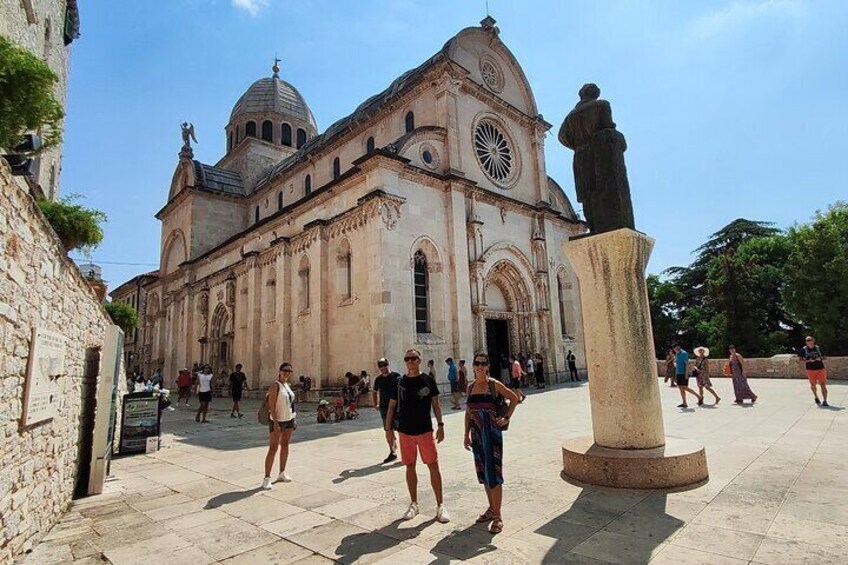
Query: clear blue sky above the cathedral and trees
x,y
730,108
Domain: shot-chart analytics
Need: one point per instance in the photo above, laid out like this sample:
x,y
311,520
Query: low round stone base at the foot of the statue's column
x,y
678,463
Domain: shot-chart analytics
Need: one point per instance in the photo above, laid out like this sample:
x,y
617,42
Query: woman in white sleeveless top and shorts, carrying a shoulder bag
x,y
282,424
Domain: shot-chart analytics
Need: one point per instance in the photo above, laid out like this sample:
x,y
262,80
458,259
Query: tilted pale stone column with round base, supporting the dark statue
x,y
623,387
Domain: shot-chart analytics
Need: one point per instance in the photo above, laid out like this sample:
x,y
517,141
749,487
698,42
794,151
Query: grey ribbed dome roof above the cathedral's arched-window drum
x,y
273,95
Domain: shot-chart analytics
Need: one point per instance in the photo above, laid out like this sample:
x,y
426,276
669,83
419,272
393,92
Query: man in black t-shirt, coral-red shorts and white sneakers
x,y
412,400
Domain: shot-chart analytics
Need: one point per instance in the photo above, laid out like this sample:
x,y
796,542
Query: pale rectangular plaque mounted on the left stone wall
x,y
45,366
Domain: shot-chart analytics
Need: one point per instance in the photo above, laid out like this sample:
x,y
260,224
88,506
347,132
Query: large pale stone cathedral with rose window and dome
x,y
423,219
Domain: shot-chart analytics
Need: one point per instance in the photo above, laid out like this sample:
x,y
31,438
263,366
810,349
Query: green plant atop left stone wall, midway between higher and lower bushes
x,y
76,225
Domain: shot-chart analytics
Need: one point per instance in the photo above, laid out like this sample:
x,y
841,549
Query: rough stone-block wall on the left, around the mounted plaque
x,y
39,285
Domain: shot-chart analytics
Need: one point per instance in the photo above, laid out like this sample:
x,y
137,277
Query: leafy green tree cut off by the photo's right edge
x,y
816,290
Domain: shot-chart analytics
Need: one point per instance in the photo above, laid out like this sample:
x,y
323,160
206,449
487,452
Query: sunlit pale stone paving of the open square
x,y
777,493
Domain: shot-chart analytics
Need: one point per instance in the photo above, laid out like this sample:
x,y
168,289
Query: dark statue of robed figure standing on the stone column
x,y
600,176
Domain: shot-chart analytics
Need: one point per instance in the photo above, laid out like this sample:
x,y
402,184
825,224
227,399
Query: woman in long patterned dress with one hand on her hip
x,y
484,435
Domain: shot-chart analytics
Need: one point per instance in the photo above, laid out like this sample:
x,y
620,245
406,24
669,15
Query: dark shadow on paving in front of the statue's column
x,y
614,525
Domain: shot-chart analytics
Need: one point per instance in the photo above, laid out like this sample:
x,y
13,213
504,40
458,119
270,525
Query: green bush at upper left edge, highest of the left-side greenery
x,y
27,102
